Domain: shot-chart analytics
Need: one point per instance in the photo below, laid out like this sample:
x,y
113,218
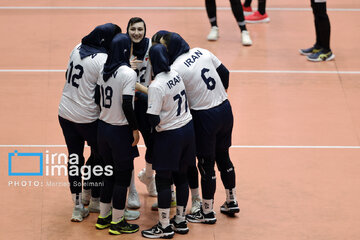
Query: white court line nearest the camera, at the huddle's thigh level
x,y
234,146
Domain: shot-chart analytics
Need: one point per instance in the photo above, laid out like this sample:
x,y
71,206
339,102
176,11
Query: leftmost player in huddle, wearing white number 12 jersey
x,y
79,112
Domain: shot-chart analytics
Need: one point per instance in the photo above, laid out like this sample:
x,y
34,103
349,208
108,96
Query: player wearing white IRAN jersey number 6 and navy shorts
x,y
206,80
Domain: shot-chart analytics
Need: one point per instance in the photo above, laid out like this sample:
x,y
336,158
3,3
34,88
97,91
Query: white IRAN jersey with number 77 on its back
x,y
167,98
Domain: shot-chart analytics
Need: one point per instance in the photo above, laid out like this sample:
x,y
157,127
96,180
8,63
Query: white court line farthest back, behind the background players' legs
x,y
163,8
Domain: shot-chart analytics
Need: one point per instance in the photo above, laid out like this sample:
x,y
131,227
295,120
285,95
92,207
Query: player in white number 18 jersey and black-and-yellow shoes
x,y
117,135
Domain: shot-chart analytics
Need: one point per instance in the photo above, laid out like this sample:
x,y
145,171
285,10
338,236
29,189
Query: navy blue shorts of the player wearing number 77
x,y
174,150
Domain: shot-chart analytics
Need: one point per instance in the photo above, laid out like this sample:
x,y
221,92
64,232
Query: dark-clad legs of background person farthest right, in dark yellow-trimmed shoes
x,y
321,50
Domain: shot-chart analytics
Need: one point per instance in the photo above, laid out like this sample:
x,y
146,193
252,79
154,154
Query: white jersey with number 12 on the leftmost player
x,y
77,103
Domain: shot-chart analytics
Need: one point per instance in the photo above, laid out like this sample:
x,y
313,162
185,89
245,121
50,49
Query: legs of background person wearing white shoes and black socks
x,y
238,14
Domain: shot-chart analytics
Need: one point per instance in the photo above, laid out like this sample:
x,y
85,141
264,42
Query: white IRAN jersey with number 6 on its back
x,y
202,82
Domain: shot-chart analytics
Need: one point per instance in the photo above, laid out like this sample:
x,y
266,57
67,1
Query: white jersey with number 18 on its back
x,y
122,82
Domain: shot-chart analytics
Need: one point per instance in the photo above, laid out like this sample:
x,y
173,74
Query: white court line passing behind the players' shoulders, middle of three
x,y
233,71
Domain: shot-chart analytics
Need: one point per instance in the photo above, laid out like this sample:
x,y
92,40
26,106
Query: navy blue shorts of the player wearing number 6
x,y
213,129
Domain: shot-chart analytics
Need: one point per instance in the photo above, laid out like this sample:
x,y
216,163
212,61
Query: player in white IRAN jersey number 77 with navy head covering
x,y
174,143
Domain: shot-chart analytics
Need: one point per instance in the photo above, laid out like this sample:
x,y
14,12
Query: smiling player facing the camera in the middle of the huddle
x,y
139,61
